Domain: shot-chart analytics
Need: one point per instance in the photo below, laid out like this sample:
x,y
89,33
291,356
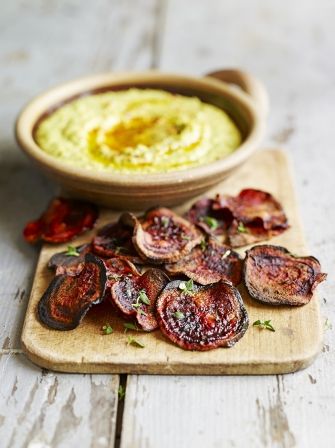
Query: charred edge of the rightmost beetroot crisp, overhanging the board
x,y
257,295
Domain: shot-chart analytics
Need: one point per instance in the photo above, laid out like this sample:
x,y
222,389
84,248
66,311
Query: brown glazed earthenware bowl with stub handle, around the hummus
x,y
247,106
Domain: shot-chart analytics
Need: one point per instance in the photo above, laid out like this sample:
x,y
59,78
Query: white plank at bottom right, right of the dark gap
x,y
274,412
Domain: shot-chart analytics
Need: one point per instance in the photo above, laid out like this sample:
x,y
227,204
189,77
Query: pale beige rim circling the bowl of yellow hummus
x,y
53,97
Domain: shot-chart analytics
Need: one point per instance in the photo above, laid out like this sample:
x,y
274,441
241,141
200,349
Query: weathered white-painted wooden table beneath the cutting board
x,y
290,45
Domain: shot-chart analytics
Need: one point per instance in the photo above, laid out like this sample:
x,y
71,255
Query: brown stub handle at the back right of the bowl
x,y
250,85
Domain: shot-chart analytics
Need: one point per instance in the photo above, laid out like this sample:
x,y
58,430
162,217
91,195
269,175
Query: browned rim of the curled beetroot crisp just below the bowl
x,y
177,254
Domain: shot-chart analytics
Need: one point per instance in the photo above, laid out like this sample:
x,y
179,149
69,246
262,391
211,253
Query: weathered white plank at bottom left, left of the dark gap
x,y
43,409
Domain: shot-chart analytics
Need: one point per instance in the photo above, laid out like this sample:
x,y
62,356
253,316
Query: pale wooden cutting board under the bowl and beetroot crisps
x,y
293,346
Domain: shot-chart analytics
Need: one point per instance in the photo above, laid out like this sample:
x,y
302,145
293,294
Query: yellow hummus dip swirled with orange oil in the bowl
x,y
138,130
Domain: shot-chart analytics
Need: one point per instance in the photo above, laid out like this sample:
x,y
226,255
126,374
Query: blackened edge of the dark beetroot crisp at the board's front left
x,y
42,307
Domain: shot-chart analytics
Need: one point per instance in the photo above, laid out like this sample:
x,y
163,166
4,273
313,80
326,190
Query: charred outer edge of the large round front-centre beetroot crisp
x,y
242,328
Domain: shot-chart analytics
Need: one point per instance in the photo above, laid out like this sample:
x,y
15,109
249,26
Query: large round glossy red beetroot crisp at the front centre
x,y
202,317
